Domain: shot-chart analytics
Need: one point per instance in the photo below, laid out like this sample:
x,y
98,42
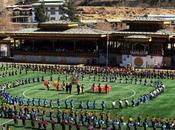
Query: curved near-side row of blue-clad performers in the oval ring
x,y
72,104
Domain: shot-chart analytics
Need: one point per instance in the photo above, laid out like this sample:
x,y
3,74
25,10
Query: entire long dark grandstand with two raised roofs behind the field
x,y
145,43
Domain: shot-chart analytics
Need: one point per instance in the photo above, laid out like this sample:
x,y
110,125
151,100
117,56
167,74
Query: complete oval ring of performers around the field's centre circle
x,y
121,103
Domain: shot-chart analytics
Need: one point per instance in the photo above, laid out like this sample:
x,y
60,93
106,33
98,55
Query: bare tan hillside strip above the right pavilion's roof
x,y
102,13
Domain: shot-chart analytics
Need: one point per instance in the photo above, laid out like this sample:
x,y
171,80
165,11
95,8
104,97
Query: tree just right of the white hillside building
x,y
69,12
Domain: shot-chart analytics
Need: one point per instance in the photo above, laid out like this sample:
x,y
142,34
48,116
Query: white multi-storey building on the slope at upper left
x,y
26,13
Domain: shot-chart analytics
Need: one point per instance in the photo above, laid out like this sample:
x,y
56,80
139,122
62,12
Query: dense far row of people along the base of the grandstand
x,y
162,74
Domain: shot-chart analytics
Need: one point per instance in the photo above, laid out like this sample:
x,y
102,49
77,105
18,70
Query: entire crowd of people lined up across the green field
x,y
74,120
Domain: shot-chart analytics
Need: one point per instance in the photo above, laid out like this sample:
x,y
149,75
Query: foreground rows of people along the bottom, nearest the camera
x,y
77,120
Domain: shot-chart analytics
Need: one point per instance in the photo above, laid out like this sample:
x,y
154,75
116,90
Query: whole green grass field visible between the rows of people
x,y
162,106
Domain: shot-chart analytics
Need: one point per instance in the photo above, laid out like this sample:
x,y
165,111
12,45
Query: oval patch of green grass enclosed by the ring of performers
x,y
119,91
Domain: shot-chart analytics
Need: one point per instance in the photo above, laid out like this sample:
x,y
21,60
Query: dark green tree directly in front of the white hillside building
x,y
41,14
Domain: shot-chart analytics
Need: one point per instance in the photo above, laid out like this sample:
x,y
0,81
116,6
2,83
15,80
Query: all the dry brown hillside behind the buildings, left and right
x,y
98,12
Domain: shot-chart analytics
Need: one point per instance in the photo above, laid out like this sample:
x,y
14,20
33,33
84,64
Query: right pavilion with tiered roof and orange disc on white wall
x,y
144,43
